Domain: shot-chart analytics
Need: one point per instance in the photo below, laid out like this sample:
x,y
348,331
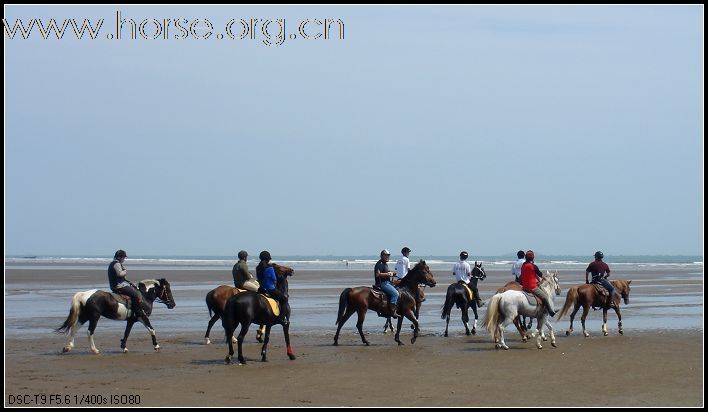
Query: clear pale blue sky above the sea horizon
x,y
562,129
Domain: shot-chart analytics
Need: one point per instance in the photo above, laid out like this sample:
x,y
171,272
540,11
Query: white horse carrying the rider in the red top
x,y
505,307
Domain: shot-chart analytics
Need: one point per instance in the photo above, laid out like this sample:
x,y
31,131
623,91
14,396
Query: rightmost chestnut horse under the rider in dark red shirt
x,y
586,296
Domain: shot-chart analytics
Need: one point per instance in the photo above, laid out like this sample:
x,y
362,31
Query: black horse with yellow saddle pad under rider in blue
x,y
250,307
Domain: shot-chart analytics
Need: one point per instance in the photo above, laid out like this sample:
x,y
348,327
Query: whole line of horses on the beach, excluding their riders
x,y
241,308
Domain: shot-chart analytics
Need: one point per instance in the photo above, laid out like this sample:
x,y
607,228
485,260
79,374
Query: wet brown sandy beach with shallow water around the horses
x,y
654,366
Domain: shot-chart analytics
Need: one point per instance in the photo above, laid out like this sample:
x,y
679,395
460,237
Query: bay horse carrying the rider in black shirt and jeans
x,y
363,298
